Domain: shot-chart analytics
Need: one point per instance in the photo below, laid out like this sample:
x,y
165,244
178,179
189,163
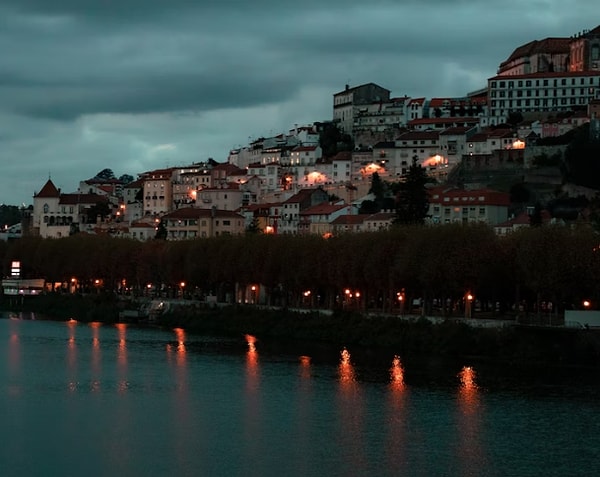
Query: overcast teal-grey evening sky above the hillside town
x,y
137,85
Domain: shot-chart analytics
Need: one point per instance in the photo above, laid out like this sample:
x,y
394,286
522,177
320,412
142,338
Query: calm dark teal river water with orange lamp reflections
x,y
104,400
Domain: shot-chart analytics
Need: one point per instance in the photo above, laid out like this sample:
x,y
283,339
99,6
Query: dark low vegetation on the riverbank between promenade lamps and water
x,y
414,336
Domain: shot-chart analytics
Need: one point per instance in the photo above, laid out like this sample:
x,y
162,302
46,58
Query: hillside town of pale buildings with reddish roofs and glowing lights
x,y
314,179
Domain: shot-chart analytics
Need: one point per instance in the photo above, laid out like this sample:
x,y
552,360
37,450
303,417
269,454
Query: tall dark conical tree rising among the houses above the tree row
x,y
412,200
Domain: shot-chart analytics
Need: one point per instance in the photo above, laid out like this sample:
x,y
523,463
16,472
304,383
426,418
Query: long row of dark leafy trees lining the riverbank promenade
x,y
436,264
